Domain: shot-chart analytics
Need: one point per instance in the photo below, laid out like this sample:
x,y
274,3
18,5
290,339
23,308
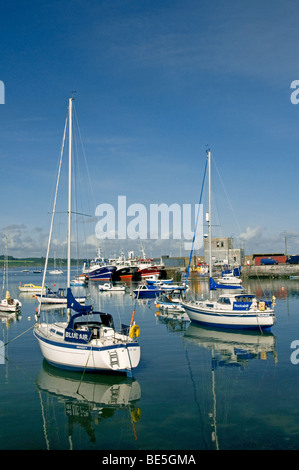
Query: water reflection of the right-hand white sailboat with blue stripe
x,y
229,350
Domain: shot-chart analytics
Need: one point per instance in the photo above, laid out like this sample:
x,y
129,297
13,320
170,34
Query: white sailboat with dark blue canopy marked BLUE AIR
x,y
88,341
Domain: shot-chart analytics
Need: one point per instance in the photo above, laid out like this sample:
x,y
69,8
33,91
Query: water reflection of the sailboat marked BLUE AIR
x,y
88,399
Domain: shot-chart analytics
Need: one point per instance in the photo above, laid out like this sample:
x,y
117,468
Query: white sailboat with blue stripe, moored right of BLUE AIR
x,y
230,310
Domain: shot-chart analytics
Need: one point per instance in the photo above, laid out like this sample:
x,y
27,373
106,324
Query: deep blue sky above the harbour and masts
x,y
156,82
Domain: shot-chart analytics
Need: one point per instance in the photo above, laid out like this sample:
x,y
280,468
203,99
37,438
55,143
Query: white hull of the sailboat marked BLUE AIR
x,y
93,357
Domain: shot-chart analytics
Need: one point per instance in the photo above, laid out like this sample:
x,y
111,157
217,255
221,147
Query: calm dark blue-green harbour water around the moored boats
x,y
195,388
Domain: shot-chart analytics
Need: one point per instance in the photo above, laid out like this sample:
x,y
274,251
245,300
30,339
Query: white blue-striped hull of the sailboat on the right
x,y
231,318
